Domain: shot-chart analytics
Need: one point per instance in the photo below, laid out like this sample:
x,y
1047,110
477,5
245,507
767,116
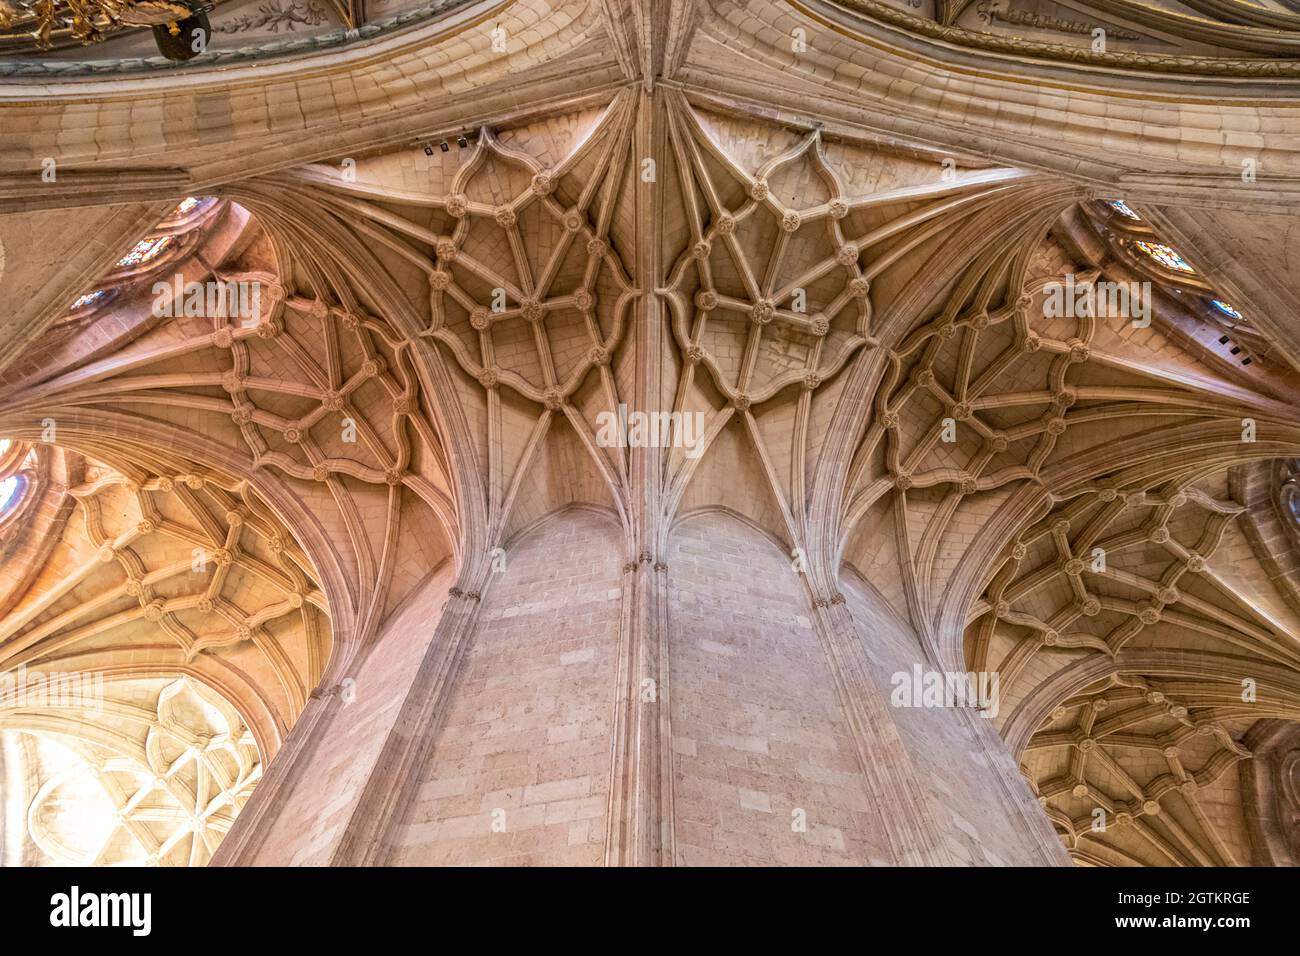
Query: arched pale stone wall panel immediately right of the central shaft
x,y
759,733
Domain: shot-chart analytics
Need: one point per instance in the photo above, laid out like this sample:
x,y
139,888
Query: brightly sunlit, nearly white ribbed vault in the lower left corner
x,y
153,775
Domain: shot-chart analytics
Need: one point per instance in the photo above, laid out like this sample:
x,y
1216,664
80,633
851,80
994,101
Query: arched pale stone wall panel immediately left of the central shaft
x,y
521,771
